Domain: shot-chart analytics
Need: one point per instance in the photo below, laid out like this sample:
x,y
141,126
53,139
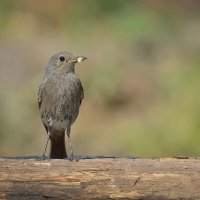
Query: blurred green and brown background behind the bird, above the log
x,y
141,79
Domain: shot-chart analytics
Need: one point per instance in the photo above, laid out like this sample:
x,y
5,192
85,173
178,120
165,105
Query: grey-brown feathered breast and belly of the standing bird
x,y
62,102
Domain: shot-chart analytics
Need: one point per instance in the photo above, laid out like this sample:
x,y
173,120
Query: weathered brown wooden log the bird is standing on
x,y
101,178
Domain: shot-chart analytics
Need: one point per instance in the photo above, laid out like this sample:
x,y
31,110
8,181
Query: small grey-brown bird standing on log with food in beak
x,y
59,97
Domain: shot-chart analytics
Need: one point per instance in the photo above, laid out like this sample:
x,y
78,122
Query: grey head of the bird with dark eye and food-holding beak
x,y
63,62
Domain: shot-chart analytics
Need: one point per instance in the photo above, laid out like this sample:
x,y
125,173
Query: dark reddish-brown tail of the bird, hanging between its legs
x,y
58,150
